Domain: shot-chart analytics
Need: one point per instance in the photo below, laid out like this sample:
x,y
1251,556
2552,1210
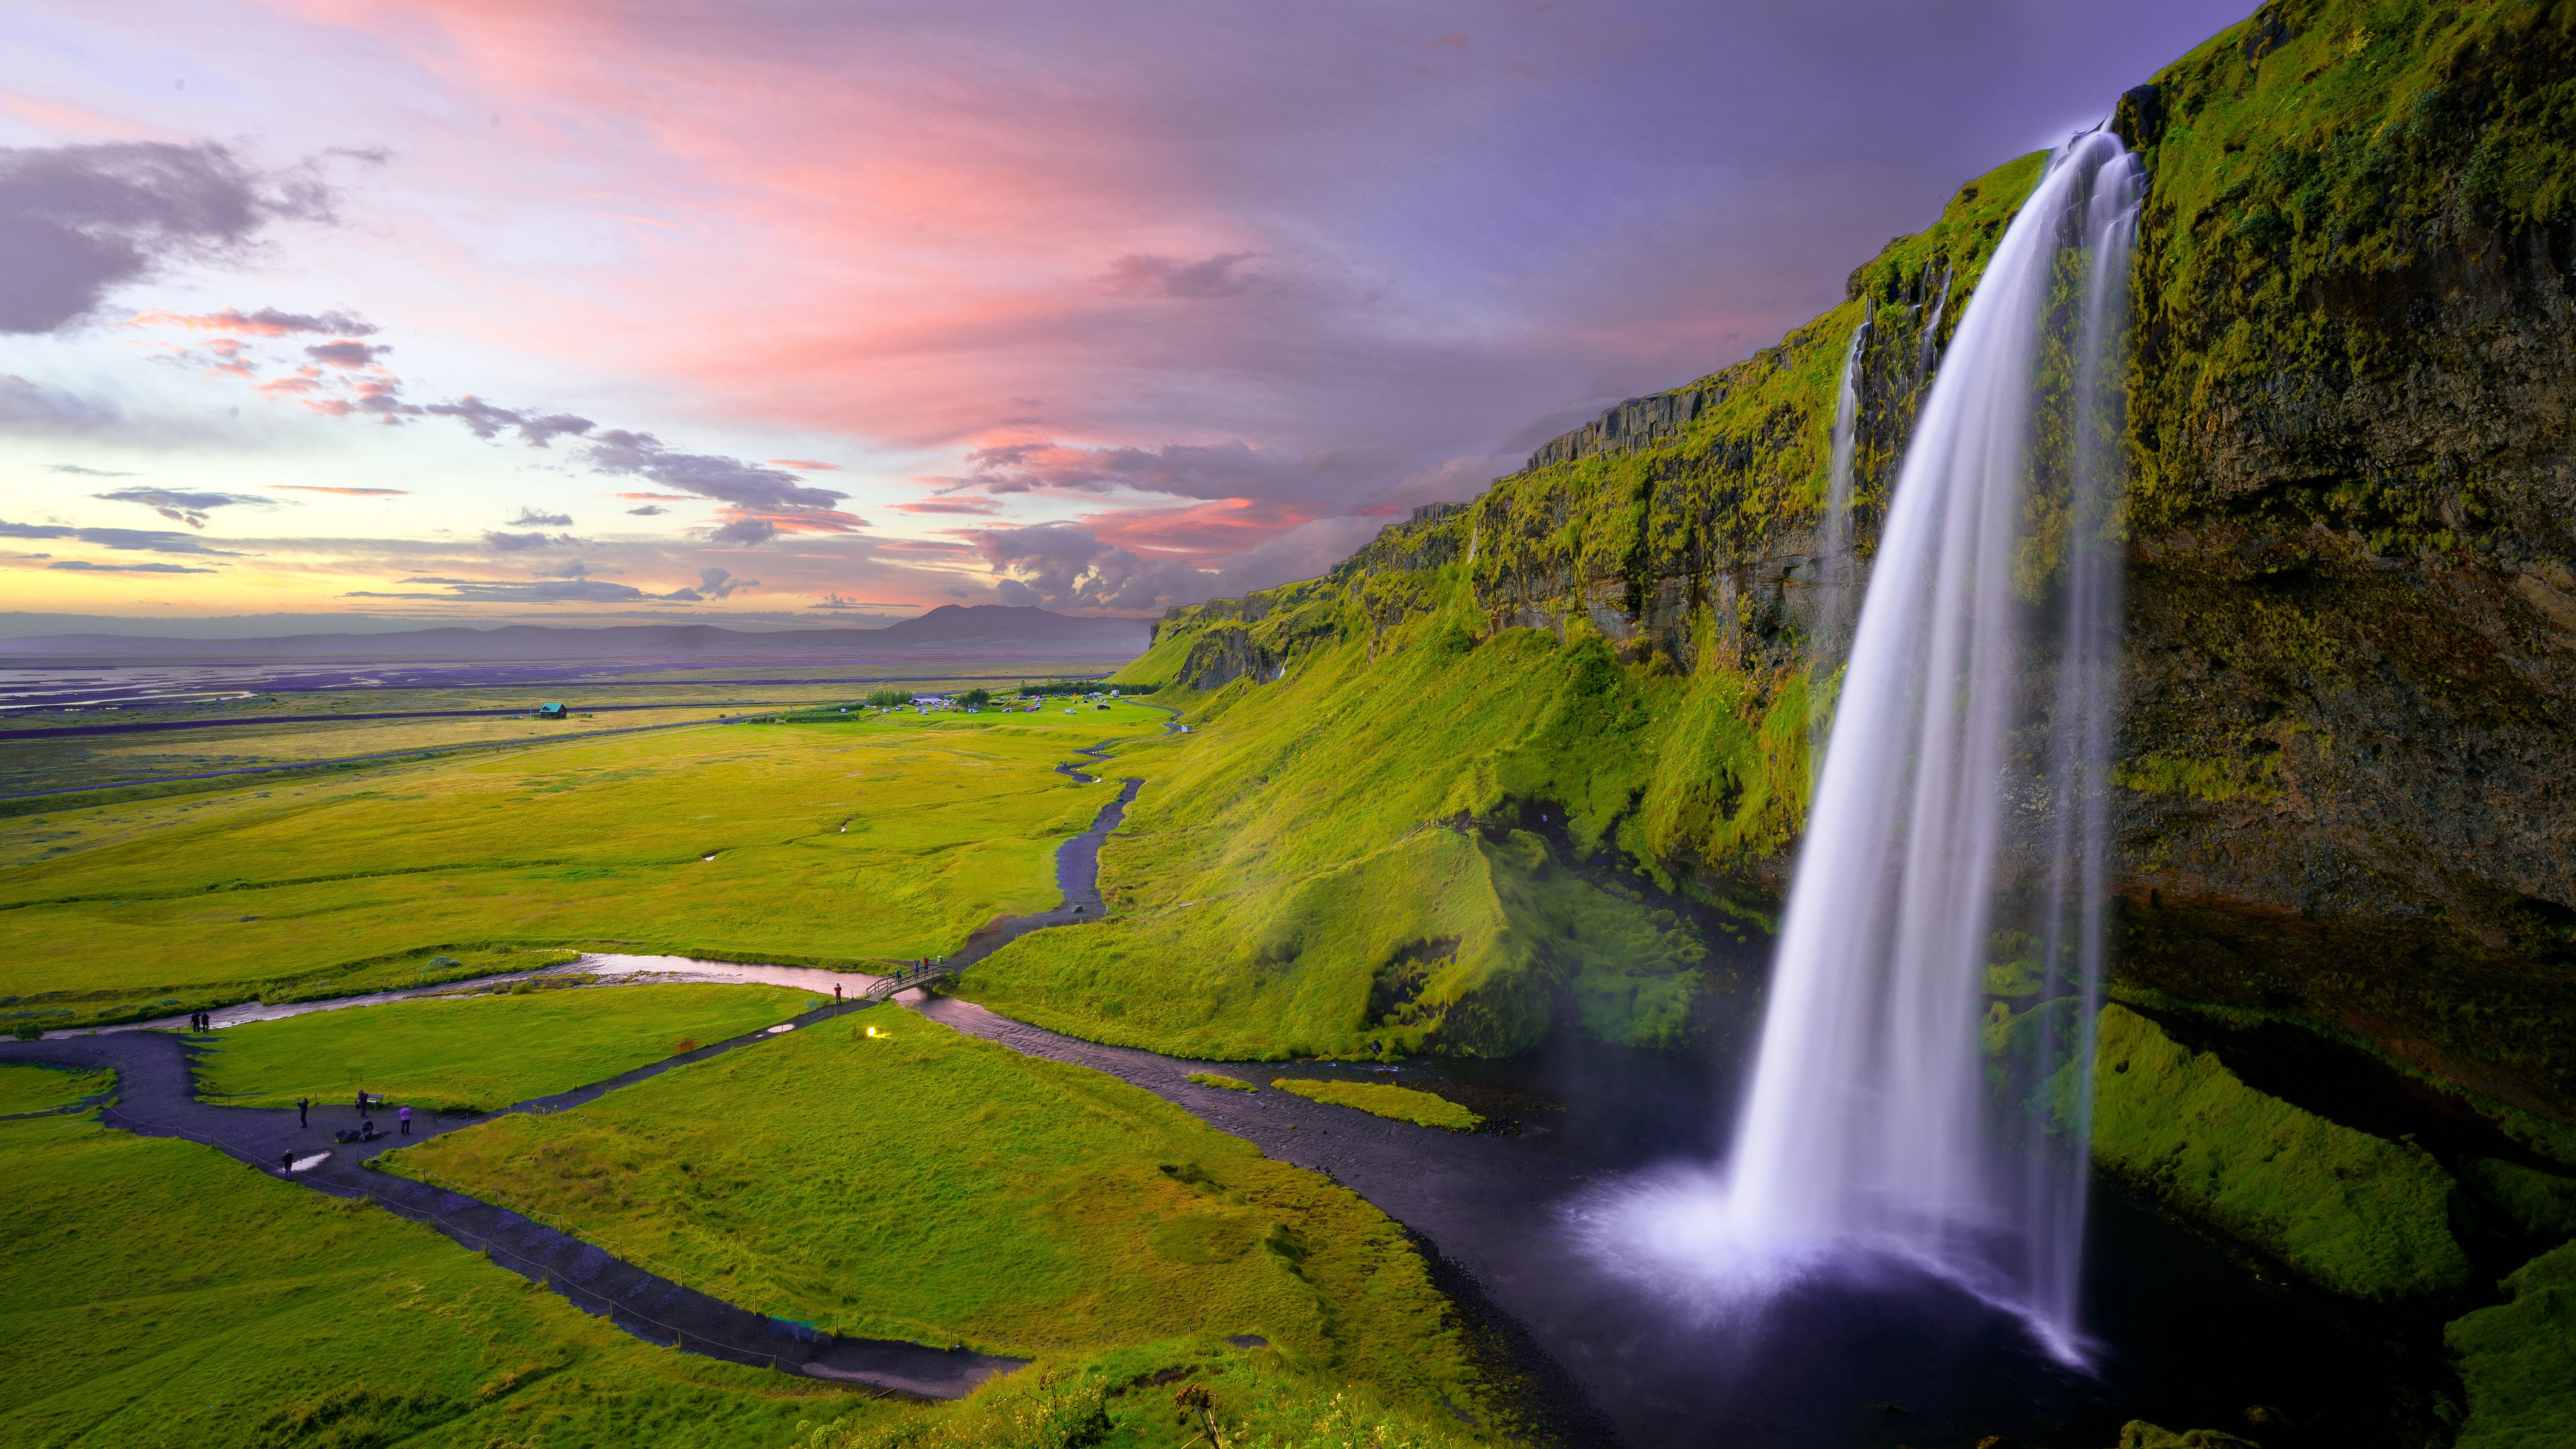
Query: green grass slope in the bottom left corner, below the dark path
x,y
164,1296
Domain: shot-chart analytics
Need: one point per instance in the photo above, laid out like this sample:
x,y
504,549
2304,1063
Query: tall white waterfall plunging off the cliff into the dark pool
x,y
1923,1087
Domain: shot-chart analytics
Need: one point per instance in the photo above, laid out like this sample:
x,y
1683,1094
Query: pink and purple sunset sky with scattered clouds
x,y
795,311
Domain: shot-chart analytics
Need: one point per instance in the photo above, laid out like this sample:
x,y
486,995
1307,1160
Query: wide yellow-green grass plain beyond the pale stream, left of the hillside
x,y
833,844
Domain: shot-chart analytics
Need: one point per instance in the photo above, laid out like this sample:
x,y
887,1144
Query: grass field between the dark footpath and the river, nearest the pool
x,y
936,1187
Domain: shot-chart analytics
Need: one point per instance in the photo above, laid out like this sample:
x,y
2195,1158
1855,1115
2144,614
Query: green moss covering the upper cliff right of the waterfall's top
x,y
2315,159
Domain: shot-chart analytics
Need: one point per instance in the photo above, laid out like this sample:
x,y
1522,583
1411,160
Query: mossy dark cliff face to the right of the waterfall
x,y
2353,643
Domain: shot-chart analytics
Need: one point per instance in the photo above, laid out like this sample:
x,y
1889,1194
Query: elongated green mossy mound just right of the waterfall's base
x,y
2348,1211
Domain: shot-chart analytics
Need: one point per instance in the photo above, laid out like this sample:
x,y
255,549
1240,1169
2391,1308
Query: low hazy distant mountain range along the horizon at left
x,y
957,630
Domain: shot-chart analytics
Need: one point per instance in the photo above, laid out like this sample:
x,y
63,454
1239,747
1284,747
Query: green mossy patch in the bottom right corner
x,y
2518,1360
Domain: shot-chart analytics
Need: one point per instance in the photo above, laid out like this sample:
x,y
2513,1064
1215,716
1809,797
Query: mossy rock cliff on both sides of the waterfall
x,y
2351,734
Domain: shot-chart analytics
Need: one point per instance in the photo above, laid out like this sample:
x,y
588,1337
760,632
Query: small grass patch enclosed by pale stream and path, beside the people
x,y
480,1053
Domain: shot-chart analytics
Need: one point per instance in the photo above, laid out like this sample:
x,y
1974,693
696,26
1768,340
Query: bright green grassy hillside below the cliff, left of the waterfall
x,y
1418,839
